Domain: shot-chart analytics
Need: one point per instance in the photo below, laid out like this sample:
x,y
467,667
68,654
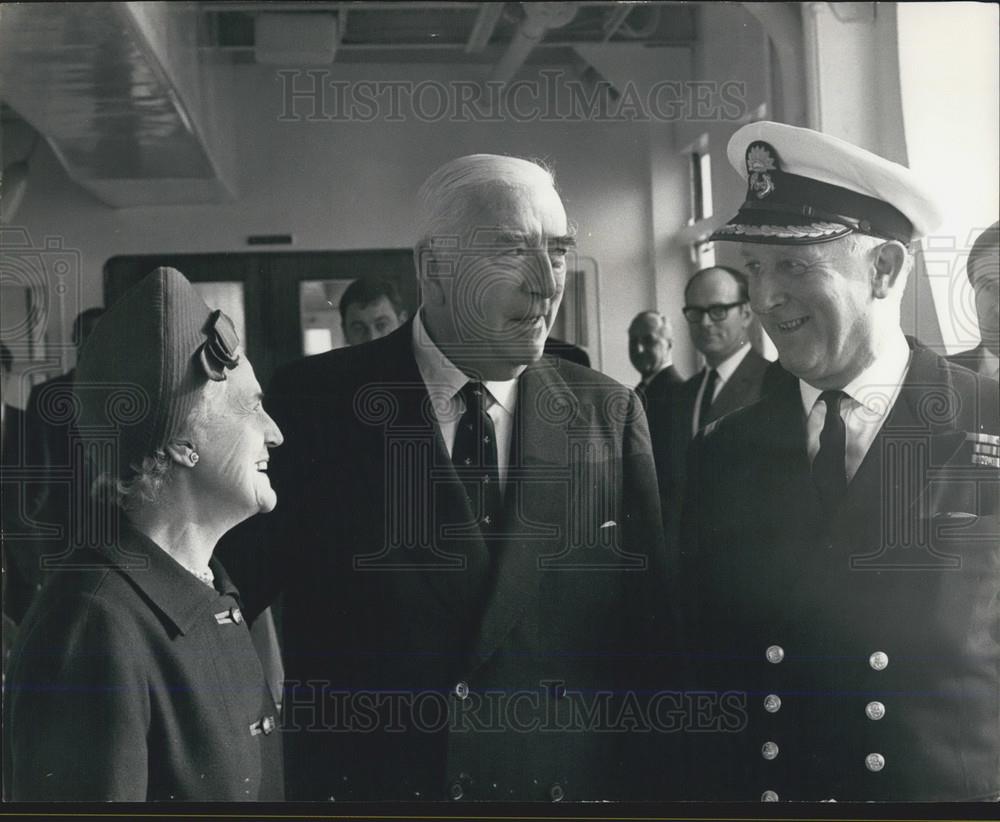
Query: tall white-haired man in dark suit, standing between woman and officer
x,y
473,558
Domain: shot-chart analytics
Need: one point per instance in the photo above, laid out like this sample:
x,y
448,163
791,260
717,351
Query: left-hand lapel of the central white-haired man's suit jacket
x,y
424,504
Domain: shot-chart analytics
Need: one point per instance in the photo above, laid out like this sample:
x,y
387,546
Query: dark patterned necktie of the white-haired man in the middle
x,y
474,455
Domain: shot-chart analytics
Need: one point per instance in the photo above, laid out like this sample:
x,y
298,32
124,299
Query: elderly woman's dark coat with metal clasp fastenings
x,y
137,682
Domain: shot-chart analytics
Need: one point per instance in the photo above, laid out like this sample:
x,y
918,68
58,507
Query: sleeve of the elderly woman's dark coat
x,y
79,709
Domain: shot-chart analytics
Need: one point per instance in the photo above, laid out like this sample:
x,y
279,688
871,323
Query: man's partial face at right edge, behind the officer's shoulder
x,y
983,271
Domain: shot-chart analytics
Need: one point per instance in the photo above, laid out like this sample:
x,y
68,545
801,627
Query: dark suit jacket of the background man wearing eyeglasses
x,y
673,432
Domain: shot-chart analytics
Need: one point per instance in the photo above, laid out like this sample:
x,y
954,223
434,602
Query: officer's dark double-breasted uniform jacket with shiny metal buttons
x,y
787,603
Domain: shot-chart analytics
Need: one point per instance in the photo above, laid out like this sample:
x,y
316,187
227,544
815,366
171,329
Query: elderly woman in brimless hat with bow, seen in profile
x,y
134,676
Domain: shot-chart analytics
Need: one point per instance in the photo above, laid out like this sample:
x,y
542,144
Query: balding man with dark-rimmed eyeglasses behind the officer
x,y
717,310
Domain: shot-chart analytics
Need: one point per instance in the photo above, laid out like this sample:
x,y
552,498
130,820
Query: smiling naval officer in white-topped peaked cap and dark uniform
x,y
842,532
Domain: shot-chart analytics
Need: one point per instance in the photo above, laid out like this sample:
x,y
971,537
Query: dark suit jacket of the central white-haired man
x,y
430,663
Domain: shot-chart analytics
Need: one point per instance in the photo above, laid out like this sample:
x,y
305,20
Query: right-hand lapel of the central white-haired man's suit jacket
x,y
536,519
